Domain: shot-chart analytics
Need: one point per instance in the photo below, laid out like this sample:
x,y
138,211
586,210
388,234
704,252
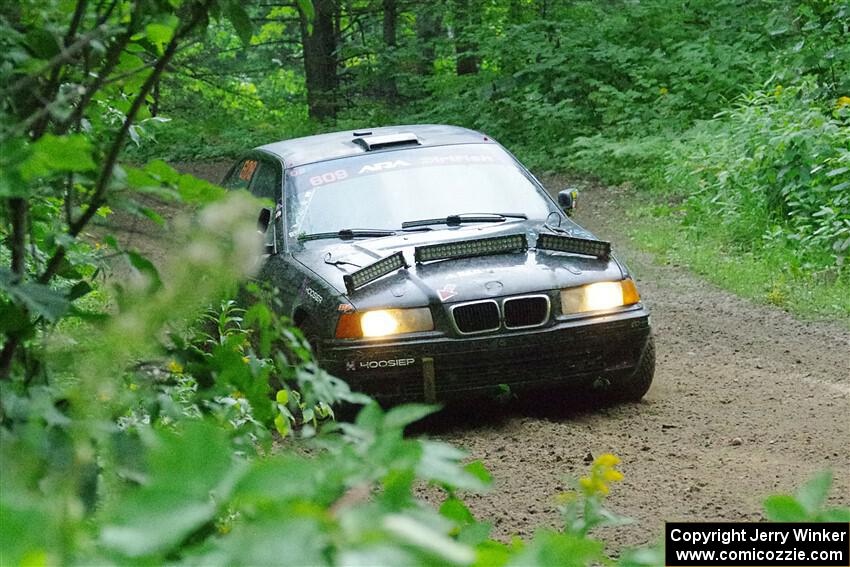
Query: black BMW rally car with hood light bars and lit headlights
x,y
425,262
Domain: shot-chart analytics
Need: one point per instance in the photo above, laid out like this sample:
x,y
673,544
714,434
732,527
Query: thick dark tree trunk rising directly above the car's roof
x,y
320,60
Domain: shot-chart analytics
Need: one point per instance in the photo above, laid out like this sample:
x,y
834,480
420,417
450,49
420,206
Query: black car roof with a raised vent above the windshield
x,y
310,149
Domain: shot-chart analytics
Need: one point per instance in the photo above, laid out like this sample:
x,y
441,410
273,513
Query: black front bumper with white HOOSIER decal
x,y
569,352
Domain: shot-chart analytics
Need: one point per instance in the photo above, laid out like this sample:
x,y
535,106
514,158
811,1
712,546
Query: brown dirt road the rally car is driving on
x,y
747,402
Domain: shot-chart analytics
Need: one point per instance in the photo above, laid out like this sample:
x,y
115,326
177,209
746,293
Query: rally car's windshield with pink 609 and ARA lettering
x,y
383,190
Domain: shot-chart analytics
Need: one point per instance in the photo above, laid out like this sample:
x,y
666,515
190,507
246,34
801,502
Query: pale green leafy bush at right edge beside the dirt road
x,y
774,170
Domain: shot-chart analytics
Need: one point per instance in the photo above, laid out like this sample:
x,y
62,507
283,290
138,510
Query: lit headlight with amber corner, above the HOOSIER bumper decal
x,y
383,322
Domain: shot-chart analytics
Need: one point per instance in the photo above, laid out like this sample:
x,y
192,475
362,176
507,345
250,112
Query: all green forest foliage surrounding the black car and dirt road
x,y
134,430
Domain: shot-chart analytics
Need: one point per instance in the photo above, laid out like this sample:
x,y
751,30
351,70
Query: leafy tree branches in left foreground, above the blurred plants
x,y
77,80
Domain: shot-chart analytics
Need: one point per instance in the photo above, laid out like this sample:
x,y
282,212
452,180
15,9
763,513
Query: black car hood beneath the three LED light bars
x,y
453,280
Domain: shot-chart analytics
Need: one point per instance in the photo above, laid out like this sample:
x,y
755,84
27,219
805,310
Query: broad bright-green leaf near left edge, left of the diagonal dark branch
x,y
52,154
